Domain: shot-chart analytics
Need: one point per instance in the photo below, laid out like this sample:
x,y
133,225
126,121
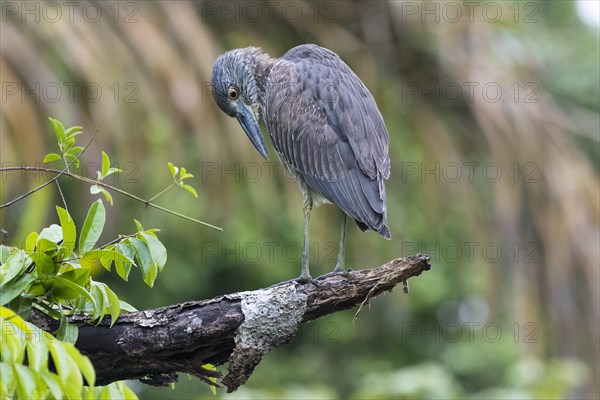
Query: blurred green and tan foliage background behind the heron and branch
x,y
493,114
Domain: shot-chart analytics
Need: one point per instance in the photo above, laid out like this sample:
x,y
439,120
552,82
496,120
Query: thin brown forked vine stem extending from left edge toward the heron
x,y
58,173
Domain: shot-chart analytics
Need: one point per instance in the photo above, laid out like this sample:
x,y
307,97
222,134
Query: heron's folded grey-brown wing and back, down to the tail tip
x,y
325,124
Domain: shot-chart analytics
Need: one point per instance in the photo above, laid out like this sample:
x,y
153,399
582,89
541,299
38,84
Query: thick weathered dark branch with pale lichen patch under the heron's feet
x,y
153,345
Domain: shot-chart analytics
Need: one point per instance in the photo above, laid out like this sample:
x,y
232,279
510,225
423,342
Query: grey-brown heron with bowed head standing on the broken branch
x,y
325,128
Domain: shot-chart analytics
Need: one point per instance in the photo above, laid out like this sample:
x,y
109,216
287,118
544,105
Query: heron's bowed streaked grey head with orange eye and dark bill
x,y
237,88
